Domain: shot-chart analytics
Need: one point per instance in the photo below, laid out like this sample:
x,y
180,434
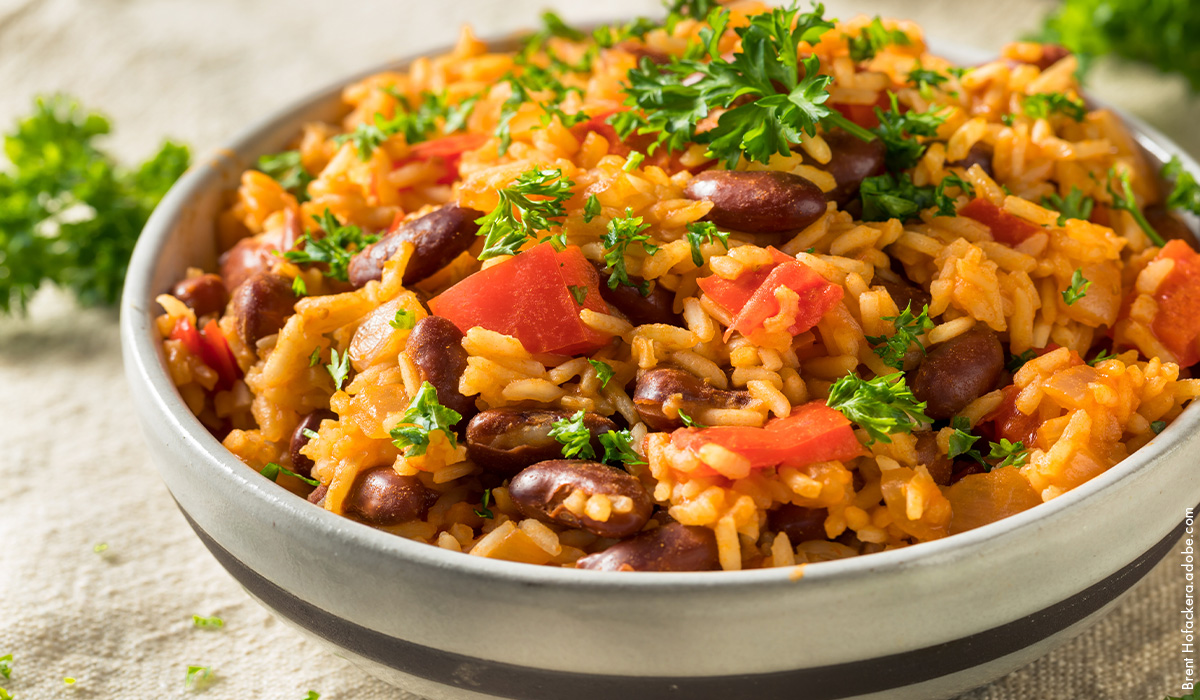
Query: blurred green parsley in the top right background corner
x,y
1160,33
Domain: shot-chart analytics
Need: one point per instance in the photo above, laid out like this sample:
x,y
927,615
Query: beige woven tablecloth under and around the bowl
x,y
74,471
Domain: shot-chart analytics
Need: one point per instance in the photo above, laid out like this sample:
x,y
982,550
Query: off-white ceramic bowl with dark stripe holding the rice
x,y
925,623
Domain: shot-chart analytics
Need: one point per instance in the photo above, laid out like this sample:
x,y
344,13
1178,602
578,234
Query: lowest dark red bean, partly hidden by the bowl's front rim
x,y
671,548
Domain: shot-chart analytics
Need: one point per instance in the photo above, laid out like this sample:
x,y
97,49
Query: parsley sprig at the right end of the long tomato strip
x,y
883,406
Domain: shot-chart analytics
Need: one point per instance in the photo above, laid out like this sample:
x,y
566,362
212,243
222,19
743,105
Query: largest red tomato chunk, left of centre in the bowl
x,y
529,298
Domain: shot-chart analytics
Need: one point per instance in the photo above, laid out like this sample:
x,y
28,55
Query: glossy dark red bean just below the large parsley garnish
x,y
759,202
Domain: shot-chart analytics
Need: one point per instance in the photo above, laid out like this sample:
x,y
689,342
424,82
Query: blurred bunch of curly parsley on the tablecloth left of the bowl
x,y
70,216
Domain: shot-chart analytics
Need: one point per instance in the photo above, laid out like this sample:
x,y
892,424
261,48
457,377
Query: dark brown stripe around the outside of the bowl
x,y
831,683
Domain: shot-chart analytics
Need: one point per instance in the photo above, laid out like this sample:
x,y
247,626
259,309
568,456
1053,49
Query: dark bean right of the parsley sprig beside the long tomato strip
x,y
958,372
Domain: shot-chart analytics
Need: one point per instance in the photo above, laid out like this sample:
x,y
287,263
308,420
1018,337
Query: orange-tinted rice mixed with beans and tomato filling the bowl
x,y
695,448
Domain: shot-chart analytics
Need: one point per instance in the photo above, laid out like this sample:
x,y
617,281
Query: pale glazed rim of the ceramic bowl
x,y
147,372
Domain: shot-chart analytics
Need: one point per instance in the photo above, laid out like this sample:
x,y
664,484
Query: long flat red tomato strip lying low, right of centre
x,y
812,434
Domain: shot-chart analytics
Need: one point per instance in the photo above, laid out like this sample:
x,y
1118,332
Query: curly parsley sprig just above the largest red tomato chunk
x,y
533,202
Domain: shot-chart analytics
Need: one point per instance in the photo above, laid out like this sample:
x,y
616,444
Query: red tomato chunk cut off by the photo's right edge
x,y
1178,321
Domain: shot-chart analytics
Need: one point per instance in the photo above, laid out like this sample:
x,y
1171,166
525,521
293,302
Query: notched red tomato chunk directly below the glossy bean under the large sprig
x,y
752,300
